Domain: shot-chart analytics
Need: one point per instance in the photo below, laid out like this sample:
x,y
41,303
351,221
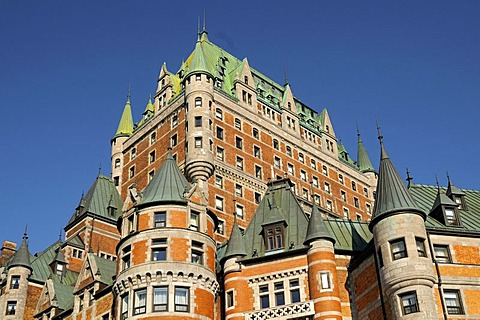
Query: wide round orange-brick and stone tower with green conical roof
x,y
167,251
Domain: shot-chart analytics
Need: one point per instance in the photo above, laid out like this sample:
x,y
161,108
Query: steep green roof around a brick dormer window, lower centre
x,y
294,219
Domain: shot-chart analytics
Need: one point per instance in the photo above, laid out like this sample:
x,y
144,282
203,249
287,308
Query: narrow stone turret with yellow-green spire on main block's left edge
x,y
124,130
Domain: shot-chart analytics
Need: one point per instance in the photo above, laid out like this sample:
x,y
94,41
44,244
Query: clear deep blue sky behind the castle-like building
x,y
65,67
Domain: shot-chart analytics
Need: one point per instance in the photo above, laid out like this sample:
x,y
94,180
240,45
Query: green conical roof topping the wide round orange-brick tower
x,y
168,184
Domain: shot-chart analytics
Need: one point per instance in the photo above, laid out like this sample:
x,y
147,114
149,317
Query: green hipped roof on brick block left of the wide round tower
x,y
102,195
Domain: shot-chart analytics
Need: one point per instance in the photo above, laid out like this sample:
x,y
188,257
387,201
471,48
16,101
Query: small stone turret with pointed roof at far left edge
x,y
18,271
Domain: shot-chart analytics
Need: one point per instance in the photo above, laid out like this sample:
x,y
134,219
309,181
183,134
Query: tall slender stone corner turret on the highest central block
x,y
199,105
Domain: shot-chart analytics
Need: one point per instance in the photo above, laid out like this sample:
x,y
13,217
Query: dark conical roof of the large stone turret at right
x,y
392,195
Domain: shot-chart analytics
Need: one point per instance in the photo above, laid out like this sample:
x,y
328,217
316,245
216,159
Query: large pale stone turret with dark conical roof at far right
x,y
406,270
